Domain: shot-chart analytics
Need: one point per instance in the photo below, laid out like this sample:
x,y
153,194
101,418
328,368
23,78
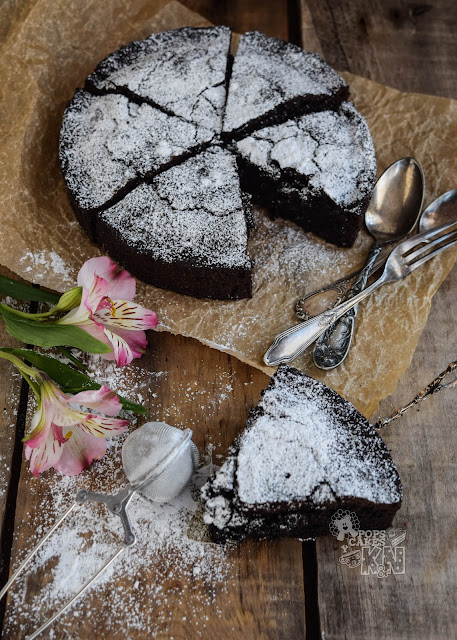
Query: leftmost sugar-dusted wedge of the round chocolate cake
x,y
106,142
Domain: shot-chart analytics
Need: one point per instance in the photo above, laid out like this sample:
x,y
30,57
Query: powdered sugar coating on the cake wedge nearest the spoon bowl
x,y
330,151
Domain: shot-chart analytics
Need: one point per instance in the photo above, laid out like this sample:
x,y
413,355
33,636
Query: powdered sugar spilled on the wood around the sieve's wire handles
x,y
172,562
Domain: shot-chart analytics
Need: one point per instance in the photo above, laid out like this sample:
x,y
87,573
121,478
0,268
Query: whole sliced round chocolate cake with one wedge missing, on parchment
x,y
170,139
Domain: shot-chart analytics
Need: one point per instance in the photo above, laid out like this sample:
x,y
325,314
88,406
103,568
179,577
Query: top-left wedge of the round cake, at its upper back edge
x,y
184,72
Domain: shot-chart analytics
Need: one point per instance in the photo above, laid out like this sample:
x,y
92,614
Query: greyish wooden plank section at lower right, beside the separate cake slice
x,y
420,603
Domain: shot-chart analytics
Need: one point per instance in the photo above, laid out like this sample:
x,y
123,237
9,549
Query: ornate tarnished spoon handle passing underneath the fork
x,y
333,345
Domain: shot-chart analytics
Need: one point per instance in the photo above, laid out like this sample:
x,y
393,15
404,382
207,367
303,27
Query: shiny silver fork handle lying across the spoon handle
x,y
289,344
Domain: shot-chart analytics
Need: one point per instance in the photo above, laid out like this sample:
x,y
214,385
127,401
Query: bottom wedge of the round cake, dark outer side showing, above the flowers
x,y
186,231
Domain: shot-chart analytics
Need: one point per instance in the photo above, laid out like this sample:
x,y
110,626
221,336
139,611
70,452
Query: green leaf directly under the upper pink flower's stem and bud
x,y
49,334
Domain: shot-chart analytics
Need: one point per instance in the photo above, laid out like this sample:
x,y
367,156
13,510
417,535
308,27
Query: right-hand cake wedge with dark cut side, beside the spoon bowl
x,y
317,170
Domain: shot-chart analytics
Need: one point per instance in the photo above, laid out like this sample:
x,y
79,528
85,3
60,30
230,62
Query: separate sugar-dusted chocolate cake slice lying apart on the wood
x,y
305,453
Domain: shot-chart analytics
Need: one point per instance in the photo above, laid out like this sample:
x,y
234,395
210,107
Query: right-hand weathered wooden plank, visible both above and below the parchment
x,y
391,43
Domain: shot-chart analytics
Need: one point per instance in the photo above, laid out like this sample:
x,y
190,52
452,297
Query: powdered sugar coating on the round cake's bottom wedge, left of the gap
x,y
192,211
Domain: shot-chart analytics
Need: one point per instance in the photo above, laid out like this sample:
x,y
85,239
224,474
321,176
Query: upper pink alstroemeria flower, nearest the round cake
x,y
107,311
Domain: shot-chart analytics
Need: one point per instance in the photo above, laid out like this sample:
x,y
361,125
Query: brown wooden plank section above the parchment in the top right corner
x,y
408,46
